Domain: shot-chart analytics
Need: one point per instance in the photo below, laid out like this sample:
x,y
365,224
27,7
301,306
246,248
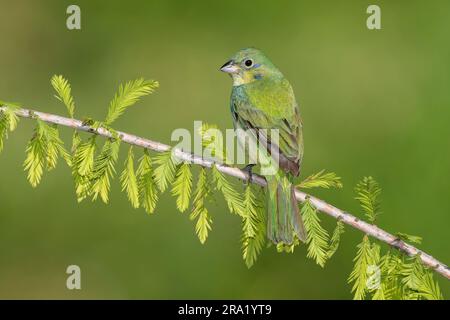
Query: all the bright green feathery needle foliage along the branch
x,y
375,275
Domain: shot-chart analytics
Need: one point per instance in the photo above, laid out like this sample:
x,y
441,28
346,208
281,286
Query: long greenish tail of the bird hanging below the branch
x,y
284,219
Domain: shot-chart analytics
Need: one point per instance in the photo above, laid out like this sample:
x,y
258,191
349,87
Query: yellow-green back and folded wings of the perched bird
x,y
265,113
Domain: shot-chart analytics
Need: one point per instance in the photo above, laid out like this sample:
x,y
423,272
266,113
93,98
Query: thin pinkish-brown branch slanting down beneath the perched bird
x,y
321,205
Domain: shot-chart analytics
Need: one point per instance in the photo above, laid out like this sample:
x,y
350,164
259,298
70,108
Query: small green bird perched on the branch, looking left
x,y
263,103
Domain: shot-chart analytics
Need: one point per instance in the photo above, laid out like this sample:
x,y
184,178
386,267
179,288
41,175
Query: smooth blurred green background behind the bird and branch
x,y
373,102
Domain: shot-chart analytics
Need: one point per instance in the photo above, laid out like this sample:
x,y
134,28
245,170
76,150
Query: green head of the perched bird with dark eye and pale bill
x,y
249,65
